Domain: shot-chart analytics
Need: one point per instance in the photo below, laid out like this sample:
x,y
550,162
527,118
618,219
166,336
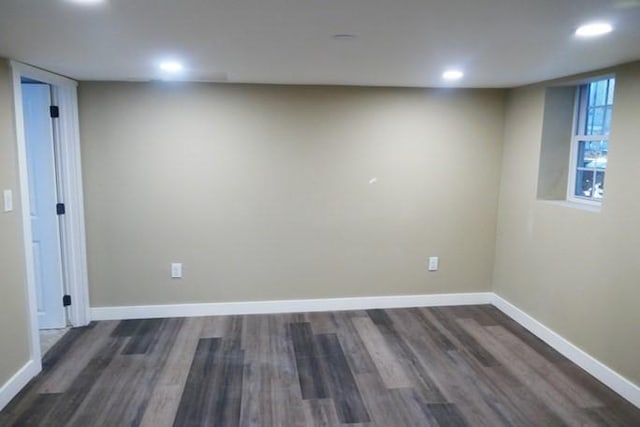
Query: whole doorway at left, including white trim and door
x,y
52,205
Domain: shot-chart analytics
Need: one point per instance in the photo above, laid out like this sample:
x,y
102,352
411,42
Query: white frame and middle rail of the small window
x,y
579,117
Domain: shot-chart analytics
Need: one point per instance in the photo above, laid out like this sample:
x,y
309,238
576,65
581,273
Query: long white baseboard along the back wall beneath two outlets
x,y
287,306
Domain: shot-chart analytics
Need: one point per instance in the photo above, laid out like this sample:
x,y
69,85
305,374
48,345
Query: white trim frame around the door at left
x,y
72,228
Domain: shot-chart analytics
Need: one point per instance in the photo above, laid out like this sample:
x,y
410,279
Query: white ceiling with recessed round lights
x,y
497,43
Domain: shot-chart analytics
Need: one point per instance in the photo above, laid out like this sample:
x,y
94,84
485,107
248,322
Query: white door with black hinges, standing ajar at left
x,y
36,99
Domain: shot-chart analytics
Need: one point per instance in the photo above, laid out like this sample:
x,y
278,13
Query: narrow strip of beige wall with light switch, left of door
x,y
14,315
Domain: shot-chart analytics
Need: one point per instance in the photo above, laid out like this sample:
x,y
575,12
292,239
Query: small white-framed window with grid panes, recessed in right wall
x,y
590,145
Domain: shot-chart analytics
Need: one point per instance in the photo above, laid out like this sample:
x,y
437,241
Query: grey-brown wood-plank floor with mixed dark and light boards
x,y
450,366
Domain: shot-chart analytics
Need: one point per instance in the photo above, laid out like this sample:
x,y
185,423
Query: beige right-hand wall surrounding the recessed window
x,y
575,271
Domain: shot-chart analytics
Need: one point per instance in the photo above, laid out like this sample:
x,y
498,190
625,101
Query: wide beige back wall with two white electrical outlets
x,y
263,191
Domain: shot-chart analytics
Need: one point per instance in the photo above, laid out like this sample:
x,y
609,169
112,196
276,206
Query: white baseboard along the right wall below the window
x,y
606,375
